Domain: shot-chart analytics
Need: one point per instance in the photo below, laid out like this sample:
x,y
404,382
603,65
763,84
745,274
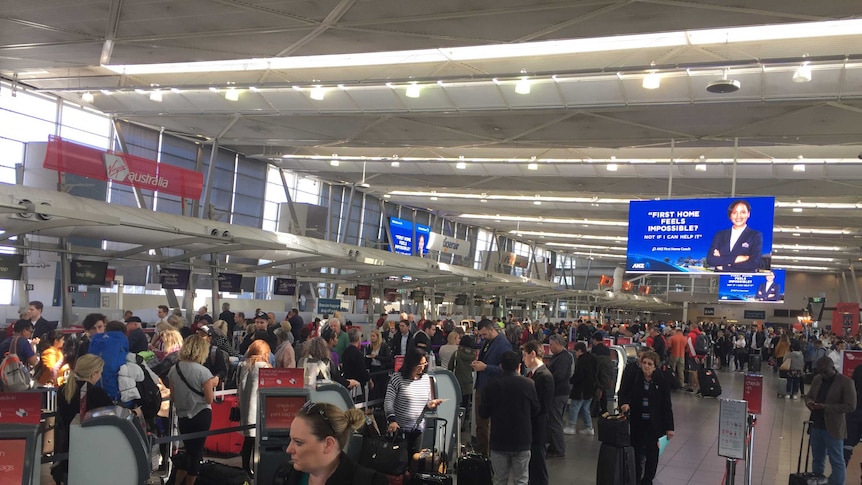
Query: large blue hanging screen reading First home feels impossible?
x,y
727,235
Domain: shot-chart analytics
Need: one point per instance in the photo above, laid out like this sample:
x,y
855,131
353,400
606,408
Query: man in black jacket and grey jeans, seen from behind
x,y
507,400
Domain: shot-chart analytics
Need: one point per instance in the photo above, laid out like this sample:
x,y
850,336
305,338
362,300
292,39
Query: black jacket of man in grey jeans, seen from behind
x,y
507,400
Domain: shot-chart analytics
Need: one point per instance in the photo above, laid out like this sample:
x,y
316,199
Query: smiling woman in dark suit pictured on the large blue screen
x,y
740,248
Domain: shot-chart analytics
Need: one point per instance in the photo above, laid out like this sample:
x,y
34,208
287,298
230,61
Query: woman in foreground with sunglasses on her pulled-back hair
x,y
318,436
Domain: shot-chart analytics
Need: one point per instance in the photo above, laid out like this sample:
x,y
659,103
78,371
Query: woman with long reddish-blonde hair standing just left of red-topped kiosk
x,y
256,358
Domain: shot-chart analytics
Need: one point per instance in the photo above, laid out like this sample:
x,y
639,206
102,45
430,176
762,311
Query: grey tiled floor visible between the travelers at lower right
x,y
691,456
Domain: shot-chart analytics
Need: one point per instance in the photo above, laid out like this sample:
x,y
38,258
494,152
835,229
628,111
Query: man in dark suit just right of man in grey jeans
x,y
532,354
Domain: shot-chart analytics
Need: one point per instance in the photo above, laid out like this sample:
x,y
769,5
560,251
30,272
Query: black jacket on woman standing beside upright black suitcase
x,y
660,407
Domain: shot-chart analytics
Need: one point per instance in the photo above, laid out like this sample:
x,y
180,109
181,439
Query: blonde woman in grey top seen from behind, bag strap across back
x,y
192,391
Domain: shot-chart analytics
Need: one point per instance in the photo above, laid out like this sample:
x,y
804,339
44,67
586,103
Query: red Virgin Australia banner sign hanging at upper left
x,y
68,157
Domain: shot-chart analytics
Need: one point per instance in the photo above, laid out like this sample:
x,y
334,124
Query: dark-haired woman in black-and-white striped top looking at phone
x,y
408,396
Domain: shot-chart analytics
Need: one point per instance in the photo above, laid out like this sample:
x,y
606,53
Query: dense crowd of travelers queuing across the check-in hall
x,y
494,361
